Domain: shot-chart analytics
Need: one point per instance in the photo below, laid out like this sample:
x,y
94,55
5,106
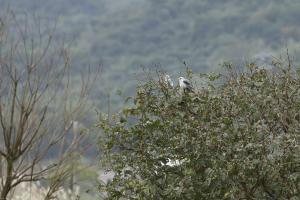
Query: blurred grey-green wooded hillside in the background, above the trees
x,y
125,35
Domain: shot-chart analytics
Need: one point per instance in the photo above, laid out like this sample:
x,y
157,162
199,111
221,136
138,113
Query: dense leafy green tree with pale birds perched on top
x,y
235,138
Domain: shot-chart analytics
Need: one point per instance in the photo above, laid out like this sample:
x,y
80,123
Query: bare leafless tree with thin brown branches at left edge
x,y
37,105
